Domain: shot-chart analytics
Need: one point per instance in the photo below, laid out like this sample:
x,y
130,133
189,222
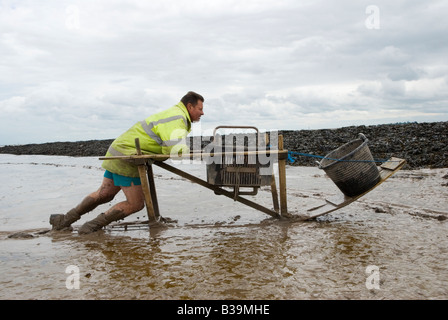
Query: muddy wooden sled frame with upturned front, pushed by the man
x,y
145,162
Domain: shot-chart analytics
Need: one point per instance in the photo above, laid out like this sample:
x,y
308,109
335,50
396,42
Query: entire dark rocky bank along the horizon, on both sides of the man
x,y
423,145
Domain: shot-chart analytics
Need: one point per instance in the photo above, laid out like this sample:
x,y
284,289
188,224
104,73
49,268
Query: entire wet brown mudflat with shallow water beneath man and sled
x,y
219,249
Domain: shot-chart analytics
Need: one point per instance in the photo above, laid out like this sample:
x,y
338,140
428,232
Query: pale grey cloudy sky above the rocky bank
x,y
80,70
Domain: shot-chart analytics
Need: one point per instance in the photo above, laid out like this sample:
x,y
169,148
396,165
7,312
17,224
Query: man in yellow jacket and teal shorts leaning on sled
x,y
161,133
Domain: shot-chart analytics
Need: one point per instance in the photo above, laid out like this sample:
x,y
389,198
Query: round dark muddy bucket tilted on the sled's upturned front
x,y
352,167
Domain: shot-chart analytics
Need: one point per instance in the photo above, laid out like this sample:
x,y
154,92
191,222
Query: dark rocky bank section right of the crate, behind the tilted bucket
x,y
423,145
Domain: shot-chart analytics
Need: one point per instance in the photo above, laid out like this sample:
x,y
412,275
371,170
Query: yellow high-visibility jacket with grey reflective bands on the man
x,y
161,133
